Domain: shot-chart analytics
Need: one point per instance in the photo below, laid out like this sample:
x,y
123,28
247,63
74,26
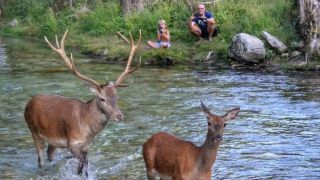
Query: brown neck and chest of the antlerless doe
x,y
208,152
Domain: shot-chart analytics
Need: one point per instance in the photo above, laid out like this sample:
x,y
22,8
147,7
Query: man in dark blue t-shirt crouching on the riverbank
x,y
203,24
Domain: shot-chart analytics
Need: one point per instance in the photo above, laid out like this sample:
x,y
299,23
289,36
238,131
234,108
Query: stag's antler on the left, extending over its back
x,y
69,62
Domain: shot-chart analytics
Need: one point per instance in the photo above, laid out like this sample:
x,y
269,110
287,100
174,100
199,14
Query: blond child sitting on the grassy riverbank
x,y
163,36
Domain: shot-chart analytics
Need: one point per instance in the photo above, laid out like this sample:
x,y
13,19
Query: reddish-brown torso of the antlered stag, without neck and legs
x,y
51,116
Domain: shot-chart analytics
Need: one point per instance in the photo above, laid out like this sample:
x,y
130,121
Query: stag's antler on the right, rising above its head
x,y
128,71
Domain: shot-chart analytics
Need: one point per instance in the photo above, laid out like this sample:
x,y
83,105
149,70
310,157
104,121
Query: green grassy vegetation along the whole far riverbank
x,y
95,32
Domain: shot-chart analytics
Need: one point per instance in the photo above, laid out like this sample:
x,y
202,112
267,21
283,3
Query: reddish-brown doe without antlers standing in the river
x,y
169,157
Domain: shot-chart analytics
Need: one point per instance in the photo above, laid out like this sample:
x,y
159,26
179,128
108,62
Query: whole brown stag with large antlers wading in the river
x,y
65,122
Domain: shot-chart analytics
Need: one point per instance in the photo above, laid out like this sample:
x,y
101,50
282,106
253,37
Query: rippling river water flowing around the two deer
x,y
276,135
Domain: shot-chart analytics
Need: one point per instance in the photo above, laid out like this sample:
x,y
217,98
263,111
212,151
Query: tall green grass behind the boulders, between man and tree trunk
x,y
255,16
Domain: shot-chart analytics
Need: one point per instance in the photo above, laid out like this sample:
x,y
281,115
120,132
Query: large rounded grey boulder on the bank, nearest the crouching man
x,y
247,48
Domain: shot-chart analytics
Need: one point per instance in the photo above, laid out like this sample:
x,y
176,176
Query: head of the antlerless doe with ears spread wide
x,y
216,124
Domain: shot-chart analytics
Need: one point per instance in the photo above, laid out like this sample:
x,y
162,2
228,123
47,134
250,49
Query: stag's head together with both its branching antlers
x,y
106,94
